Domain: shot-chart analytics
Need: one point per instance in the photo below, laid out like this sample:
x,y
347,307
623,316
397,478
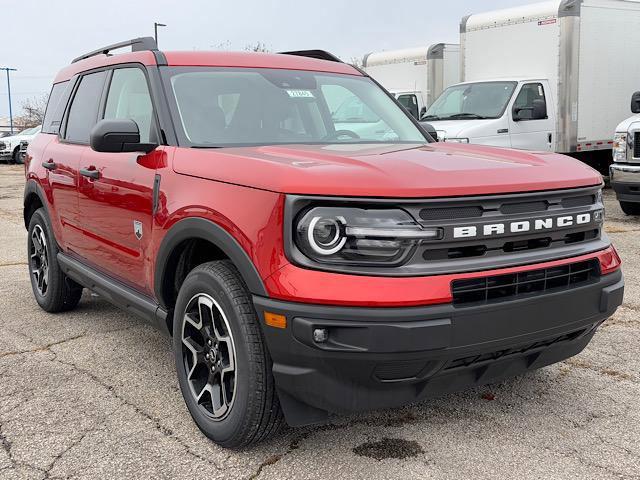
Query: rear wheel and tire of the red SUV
x,y
54,291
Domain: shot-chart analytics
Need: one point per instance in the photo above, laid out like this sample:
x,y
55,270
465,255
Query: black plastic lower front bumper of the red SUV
x,y
389,357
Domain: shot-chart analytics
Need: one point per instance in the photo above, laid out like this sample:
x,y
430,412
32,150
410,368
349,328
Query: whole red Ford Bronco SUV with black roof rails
x,y
302,238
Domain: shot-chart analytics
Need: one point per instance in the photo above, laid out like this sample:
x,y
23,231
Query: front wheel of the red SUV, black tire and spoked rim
x,y
223,366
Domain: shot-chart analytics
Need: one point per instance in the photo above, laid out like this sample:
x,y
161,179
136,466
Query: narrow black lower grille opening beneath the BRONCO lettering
x,y
506,287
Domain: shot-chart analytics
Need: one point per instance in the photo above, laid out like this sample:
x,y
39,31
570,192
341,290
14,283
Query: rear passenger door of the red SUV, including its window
x,y
64,153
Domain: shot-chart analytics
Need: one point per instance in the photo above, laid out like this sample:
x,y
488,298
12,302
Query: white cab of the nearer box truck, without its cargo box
x,y
511,113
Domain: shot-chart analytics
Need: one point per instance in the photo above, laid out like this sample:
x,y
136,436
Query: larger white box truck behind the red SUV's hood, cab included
x,y
551,76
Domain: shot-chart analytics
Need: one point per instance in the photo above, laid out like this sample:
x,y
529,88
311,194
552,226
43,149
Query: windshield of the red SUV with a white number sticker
x,y
222,107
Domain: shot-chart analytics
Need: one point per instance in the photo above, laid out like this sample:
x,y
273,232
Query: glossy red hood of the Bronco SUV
x,y
434,170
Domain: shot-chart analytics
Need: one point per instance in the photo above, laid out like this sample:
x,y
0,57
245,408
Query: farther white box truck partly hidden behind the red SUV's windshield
x,y
415,76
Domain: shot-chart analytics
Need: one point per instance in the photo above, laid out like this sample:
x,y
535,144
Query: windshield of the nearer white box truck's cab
x,y
472,100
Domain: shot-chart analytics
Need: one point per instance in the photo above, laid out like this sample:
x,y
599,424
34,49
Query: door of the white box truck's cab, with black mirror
x,y
530,125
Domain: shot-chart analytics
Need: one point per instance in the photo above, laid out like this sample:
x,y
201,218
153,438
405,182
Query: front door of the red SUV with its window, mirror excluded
x,y
116,189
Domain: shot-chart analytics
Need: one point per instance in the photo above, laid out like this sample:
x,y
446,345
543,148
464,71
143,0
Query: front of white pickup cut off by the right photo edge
x,y
625,171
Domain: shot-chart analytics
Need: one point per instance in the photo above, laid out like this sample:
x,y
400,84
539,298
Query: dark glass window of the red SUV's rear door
x,y
83,113
